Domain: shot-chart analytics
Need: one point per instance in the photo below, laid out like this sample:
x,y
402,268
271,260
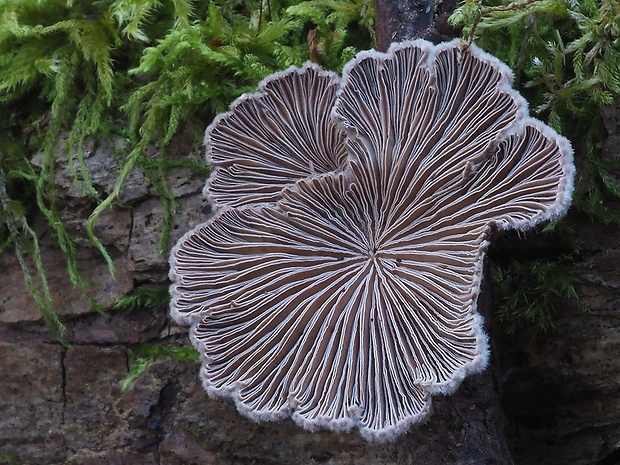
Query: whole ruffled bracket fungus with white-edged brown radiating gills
x,y
337,281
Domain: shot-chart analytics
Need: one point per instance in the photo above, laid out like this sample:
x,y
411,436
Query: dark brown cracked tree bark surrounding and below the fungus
x,y
65,405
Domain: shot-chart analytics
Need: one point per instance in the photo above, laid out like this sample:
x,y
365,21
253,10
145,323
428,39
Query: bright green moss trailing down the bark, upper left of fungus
x,y
154,67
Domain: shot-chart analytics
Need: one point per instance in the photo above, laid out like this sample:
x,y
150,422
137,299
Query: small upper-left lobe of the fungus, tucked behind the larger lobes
x,y
270,139
